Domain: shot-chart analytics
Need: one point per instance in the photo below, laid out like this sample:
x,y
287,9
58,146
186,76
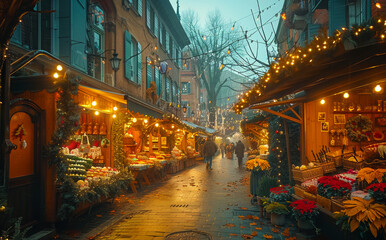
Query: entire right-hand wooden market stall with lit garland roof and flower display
x,y
332,90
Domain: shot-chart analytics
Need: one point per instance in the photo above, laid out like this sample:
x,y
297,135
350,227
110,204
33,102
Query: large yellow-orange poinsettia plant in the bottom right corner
x,y
365,217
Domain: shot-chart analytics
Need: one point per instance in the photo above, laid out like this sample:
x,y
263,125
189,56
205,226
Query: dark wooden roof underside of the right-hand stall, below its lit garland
x,y
331,75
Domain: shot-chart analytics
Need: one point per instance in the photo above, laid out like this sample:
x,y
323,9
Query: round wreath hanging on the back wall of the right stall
x,y
358,128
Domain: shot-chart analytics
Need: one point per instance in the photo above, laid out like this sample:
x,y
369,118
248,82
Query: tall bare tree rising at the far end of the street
x,y
211,49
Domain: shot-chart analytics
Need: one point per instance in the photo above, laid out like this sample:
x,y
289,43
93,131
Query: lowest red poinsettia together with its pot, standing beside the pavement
x,y
305,212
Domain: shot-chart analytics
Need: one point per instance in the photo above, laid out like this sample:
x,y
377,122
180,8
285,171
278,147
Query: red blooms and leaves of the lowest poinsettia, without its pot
x,y
304,210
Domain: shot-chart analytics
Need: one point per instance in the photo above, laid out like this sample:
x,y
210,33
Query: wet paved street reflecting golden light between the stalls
x,y
214,202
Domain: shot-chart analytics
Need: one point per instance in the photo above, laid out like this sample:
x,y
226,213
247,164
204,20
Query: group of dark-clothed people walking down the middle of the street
x,y
210,148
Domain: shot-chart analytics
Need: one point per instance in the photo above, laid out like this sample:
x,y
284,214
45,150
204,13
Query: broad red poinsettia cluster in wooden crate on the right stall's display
x,y
333,187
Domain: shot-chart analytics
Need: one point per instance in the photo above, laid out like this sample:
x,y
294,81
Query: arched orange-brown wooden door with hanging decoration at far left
x,y
24,184
